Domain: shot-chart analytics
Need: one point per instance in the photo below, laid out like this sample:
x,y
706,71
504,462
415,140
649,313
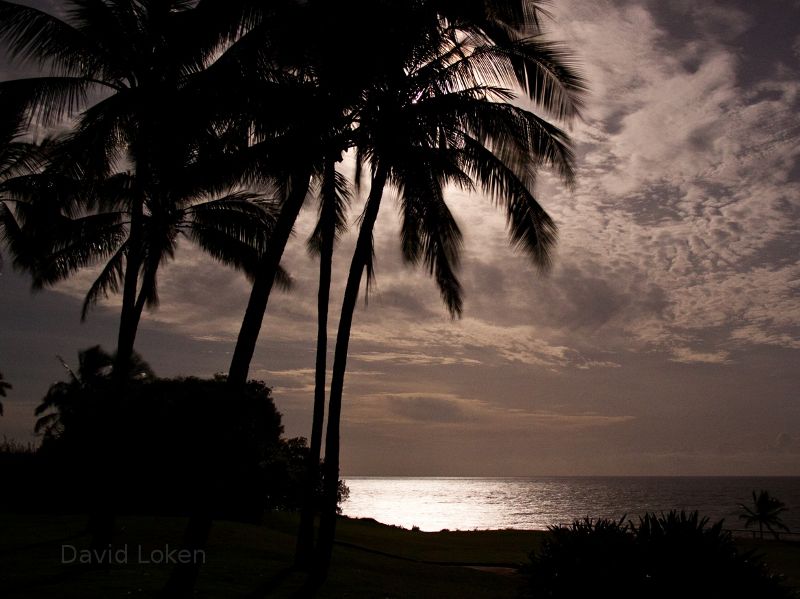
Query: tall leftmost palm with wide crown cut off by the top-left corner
x,y
138,80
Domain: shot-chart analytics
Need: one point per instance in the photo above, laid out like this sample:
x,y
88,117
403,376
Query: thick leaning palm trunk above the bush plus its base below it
x,y
184,576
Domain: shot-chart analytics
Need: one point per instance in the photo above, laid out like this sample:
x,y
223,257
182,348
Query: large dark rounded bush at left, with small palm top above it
x,y
172,442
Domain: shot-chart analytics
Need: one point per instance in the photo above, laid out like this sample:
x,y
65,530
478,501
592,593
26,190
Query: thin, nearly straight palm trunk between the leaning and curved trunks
x,y
305,534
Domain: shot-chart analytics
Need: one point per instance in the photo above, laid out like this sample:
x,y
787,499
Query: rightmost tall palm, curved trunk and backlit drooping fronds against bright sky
x,y
445,119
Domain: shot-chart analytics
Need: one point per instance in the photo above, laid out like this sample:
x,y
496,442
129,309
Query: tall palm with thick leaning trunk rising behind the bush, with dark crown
x,y
318,112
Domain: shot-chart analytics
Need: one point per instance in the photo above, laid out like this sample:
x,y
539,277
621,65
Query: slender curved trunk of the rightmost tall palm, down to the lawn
x,y
361,257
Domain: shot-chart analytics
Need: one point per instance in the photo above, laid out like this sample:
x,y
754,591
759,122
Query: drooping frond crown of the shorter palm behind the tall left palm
x,y
46,240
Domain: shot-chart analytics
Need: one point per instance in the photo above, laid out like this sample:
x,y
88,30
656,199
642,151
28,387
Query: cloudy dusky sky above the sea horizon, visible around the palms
x,y
665,340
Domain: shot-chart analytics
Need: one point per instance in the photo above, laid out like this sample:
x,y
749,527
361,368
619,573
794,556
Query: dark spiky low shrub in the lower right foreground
x,y
663,556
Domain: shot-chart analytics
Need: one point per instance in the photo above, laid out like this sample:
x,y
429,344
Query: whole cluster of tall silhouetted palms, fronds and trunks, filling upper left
x,y
216,120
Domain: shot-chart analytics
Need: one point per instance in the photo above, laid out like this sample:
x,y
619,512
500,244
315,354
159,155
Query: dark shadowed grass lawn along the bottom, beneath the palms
x,y
247,560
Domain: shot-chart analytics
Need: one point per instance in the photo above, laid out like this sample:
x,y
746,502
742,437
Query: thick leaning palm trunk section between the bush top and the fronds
x,y
262,286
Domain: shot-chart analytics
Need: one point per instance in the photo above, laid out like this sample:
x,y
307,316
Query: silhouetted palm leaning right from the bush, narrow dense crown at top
x,y
316,94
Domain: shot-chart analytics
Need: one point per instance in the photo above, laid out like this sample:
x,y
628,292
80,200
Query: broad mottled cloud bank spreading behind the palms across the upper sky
x,y
674,230
